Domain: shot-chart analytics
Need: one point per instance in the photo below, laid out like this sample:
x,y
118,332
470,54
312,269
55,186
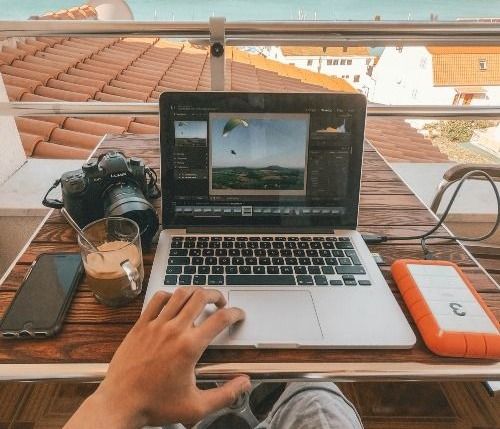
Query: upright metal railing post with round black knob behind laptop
x,y
217,52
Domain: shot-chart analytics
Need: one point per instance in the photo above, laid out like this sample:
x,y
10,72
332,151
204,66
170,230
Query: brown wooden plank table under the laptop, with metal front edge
x,y
92,331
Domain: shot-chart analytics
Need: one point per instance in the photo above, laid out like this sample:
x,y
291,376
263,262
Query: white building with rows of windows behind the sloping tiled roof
x,y
354,64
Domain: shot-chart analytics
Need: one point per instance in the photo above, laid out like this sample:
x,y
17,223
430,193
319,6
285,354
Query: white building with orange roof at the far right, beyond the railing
x,y
447,75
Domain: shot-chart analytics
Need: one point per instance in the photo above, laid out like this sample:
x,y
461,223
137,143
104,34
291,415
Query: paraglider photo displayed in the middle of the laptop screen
x,y
258,154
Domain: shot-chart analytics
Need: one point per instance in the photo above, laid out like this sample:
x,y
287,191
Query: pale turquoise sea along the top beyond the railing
x,y
241,10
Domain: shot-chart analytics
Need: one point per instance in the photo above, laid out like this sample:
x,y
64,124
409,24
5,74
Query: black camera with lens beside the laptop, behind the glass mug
x,y
112,185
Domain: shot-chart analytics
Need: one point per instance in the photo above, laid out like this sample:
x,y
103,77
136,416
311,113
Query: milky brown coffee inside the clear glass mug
x,y
105,264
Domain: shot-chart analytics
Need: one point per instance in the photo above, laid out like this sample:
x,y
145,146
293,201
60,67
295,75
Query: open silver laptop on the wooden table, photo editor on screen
x,y
260,196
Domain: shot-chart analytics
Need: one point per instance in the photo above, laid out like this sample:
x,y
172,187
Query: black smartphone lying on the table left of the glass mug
x,y
41,302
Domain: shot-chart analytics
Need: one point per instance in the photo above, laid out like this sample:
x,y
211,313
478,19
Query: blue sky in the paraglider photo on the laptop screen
x,y
263,143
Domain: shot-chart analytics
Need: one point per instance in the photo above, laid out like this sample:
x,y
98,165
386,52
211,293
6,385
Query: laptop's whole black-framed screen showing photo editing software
x,y
240,159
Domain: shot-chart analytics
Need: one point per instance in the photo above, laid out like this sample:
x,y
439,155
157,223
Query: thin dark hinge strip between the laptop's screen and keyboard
x,y
257,230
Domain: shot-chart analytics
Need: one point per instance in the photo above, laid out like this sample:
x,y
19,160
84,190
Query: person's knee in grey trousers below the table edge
x,y
312,405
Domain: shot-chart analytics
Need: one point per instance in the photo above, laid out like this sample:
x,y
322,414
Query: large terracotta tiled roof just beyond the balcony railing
x,y
122,69
